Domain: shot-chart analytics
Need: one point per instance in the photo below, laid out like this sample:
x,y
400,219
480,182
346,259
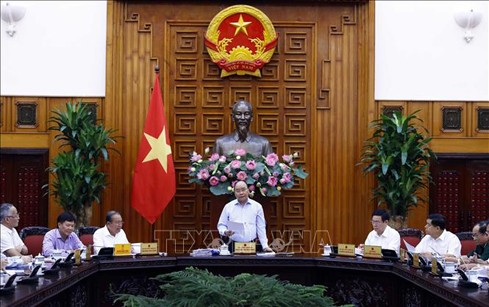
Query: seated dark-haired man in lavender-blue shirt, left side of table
x,y
62,238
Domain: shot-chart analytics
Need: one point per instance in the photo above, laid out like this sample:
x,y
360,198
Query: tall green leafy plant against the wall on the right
x,y
399,156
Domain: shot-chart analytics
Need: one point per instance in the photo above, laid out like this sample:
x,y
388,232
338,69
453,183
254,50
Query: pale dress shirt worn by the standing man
x,y
251,215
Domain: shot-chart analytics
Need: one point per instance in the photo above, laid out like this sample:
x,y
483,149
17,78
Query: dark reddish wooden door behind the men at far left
x,y
22,175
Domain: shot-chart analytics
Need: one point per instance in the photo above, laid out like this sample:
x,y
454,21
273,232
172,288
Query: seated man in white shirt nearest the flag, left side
x,y
111,234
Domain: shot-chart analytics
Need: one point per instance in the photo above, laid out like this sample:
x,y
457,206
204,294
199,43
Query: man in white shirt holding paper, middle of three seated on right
x,y
438,240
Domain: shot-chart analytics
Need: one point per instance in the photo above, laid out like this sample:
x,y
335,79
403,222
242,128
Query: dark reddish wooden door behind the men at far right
x,y
460,191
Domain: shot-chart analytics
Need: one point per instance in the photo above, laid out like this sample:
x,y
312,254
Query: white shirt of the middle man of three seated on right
x,y
446,243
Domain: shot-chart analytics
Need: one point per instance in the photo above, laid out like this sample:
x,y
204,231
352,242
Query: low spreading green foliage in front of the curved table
x,y
194,287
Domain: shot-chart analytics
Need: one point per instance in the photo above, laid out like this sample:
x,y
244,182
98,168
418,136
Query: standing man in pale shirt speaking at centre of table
x,y
247,211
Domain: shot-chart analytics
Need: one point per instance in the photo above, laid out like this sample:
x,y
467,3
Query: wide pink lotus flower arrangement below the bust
x,y
268,175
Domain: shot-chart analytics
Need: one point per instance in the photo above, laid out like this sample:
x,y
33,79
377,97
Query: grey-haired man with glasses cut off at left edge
x,y
11,243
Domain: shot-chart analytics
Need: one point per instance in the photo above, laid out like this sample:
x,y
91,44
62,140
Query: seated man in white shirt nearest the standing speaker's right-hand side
x,y
382,234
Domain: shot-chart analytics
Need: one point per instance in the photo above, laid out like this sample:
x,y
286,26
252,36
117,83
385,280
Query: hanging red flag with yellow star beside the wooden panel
x,y
153,183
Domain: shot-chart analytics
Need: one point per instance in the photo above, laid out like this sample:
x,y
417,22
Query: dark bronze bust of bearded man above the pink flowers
x,y
242,138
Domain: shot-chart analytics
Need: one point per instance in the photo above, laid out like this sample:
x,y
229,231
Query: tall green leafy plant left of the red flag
x,y
78,179
